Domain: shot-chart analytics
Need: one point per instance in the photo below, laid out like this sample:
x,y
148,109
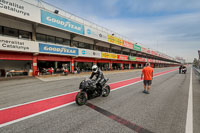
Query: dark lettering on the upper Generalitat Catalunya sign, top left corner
x,y
14,7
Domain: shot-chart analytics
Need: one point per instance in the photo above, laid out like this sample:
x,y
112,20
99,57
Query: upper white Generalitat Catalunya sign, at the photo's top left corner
x,y
20,9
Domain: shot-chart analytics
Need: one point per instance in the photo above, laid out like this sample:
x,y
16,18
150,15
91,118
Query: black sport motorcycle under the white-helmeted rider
x,y
89,90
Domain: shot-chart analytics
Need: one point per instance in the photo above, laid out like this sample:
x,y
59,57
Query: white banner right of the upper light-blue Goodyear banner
x,y
93,33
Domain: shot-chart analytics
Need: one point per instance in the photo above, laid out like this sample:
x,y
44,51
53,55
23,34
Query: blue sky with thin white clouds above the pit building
x,y
169,26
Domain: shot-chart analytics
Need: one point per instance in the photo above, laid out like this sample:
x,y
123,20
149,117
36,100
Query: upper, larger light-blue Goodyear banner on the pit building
x,y
61,22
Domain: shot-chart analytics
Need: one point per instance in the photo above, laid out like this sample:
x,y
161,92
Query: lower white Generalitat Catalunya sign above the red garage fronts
x,y
14,44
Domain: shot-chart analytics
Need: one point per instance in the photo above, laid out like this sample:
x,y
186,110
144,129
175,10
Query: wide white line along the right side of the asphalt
x,y
189,119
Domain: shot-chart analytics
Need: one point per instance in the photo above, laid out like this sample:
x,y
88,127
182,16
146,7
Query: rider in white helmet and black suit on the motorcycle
x,y
99,77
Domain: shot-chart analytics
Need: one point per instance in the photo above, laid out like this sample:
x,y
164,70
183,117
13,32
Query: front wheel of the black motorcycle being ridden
x,y
81,98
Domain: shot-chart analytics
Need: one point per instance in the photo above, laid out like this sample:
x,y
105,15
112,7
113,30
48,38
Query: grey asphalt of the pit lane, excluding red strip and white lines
x,y
162,111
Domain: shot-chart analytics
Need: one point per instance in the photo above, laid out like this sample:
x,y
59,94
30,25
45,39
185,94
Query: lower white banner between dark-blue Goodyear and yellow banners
x,y
89,53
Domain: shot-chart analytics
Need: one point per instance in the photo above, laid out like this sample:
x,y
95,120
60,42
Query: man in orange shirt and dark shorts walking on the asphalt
x,y
147,72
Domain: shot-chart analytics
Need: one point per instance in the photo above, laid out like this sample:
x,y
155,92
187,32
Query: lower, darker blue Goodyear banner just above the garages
x,y
56,49
